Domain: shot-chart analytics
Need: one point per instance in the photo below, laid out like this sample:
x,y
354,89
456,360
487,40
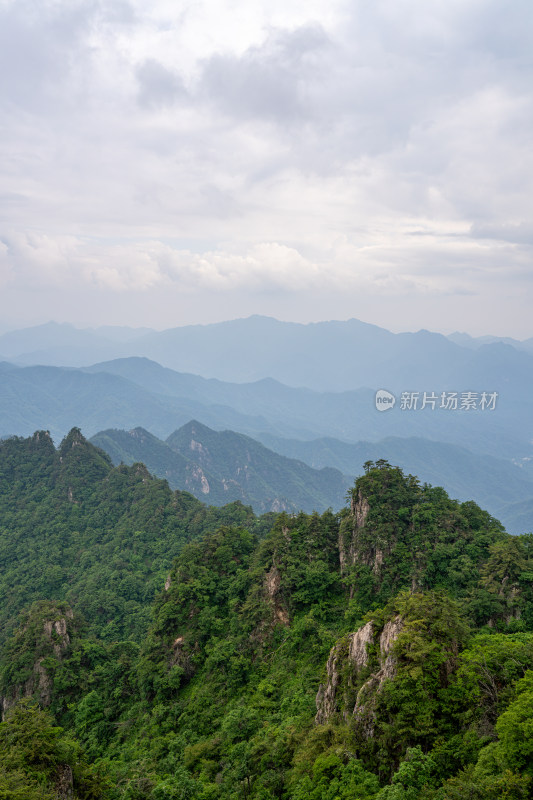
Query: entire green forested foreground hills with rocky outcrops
x,y
155,648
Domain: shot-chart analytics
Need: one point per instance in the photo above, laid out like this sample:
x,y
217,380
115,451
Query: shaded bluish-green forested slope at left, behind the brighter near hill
x,y
74,528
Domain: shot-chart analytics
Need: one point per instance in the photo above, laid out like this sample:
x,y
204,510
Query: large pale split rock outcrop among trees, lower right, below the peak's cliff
x,y
348,661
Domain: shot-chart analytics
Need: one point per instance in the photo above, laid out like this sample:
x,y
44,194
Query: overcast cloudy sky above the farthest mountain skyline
x,y
170,162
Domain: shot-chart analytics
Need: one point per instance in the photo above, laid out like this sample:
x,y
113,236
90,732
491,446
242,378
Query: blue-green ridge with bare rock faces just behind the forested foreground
x,y
221,467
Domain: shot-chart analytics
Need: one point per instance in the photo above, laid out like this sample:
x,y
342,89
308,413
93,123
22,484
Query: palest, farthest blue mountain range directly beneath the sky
x,y
337,355
